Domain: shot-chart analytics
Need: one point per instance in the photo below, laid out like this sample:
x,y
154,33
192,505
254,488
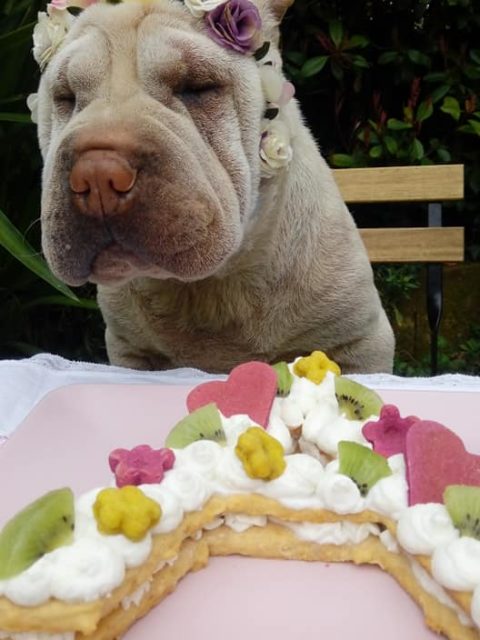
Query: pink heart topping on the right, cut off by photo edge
x,y
436,458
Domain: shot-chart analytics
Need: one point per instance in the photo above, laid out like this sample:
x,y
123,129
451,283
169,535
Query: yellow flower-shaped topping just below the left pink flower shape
x,y
127,511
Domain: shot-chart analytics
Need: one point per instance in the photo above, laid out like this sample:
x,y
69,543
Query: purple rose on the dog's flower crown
x,y
235,24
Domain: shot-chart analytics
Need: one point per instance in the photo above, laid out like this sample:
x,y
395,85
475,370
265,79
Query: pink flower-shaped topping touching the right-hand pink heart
x,y
388,434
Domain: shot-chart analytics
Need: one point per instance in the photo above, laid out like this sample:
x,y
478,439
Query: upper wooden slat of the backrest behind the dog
x,y
401,184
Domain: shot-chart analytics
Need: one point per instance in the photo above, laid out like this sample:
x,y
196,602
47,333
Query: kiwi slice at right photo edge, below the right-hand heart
x,y
463,505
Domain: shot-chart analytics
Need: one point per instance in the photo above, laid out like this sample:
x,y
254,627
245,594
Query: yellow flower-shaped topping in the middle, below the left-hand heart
x,y
262,455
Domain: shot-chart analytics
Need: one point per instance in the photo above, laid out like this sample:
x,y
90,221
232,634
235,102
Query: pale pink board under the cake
x,y
66,441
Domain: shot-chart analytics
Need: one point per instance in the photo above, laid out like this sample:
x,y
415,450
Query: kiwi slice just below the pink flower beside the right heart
x,y
362,465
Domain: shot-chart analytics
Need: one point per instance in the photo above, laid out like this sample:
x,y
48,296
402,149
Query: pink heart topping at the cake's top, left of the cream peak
x,y
250,388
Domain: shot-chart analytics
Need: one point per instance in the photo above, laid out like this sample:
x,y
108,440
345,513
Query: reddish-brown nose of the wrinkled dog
x,y
101,179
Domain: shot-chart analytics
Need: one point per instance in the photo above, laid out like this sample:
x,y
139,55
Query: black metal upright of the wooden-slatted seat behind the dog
x,y
434,291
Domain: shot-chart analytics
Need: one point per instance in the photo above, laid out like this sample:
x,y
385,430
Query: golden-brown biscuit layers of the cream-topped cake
x,y
106,618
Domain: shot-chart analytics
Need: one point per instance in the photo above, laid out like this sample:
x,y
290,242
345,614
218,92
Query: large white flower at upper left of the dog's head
x,y
49,33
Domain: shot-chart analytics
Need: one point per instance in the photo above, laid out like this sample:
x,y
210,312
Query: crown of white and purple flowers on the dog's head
x,y
234,24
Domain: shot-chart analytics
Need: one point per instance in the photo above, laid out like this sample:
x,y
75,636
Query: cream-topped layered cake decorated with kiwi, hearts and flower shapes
x,y
286,461
